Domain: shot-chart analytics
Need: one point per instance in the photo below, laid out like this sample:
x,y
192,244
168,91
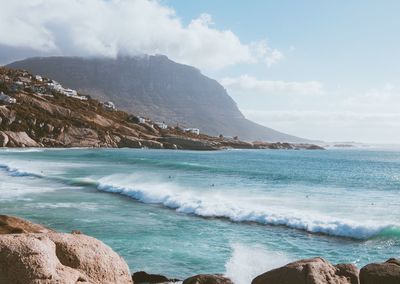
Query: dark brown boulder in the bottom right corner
x,y
381,273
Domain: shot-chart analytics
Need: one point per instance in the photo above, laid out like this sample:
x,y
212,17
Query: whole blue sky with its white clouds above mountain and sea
x,y
326,70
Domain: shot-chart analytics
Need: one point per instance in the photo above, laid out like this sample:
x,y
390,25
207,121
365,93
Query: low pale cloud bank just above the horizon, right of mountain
x,y
328,125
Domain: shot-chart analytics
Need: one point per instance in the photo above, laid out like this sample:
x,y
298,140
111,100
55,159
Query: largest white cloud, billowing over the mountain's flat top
x,y
108,28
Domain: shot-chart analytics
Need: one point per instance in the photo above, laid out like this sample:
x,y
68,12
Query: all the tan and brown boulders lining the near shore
x,y
31,253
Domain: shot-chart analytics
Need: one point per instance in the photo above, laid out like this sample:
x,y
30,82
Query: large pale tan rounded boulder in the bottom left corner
x,y
59,258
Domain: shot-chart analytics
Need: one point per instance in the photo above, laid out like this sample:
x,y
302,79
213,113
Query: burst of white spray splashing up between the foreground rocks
x,y
247,262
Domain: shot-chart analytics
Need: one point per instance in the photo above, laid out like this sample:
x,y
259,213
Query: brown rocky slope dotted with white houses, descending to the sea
x,y
38,112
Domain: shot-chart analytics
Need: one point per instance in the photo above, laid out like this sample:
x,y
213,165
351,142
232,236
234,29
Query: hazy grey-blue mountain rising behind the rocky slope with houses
x,y
157,88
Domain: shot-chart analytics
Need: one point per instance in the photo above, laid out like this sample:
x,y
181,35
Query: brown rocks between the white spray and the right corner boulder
x,y
310,271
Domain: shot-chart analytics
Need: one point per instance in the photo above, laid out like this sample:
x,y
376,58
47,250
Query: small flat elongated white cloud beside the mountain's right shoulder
x,y
252,85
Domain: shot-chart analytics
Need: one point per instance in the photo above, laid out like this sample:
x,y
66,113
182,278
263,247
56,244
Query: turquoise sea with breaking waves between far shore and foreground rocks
x,y
237,212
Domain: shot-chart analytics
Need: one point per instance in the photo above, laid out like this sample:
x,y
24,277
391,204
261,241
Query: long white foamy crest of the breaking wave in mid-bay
x,y
238,208
